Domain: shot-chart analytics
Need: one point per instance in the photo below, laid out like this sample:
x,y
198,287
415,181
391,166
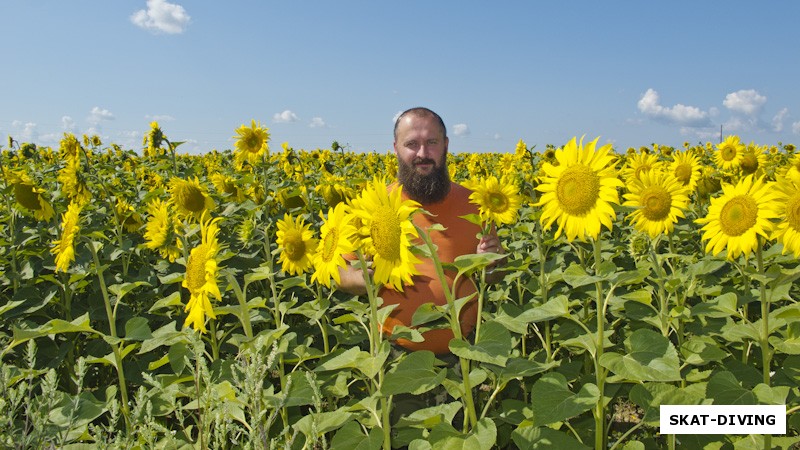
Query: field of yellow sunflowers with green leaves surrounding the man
x,y
152,299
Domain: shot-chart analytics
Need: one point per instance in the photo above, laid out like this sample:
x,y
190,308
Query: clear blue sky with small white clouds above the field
x,y
631,72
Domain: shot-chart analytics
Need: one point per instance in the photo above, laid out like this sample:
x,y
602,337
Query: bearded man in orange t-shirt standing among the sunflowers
x,y
421,143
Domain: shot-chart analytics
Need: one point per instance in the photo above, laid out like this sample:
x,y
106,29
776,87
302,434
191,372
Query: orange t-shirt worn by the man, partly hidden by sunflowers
x,y
459,238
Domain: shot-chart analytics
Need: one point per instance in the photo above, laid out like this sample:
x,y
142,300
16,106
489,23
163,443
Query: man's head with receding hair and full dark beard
x,y
420,143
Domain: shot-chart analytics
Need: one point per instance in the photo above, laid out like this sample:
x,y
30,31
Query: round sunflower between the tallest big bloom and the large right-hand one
x,y
659,199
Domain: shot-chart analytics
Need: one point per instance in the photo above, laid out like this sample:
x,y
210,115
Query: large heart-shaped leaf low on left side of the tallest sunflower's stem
x,y
552,401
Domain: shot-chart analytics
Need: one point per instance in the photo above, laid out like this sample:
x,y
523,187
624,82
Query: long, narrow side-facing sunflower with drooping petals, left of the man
x,y
201,276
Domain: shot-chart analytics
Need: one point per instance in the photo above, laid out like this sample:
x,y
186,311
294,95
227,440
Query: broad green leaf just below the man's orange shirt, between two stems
x,y
414,374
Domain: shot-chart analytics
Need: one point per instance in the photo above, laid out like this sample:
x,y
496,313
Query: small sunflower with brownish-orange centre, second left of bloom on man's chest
x,y
297,244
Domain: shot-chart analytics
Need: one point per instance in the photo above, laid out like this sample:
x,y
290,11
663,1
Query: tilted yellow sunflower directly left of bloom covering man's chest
x,y
337,236
